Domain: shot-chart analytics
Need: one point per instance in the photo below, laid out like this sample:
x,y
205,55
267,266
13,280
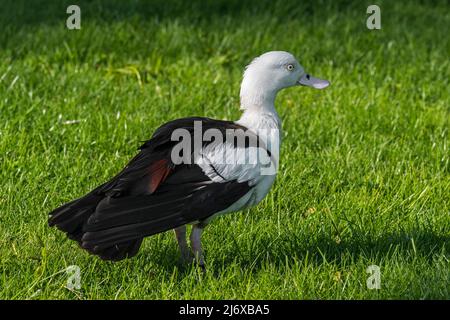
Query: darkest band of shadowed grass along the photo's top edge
x,y
21,12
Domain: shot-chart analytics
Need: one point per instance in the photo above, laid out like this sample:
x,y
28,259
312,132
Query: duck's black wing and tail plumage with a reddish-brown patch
x,y
150,195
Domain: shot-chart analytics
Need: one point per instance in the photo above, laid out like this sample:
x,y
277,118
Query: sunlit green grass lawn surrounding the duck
x,y
364,173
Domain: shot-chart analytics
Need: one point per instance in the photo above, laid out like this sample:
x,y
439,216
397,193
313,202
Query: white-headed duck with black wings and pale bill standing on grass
x,y
157,191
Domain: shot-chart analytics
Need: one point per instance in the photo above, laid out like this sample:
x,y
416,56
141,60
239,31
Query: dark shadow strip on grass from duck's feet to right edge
x,y
288,248
